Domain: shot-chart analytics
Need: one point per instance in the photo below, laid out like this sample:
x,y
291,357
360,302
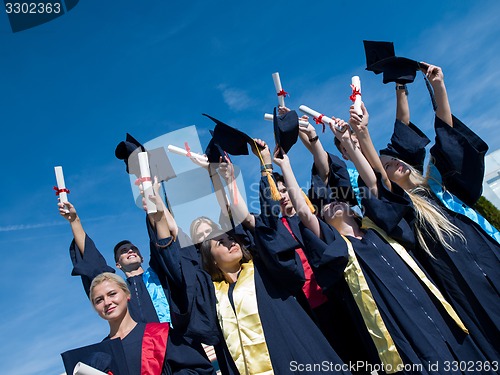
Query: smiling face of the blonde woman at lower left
x,y
109,300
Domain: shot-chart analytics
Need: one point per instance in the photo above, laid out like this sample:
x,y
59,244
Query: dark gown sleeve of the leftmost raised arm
x,y
88,265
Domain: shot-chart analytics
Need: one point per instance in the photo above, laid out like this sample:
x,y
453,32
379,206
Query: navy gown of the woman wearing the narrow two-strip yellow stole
x,y
422,332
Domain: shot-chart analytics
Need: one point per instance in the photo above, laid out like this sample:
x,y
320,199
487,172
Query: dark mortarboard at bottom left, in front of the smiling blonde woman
x,y
106,356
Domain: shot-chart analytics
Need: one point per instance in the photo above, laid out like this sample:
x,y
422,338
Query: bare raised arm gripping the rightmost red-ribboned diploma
x,y
360,126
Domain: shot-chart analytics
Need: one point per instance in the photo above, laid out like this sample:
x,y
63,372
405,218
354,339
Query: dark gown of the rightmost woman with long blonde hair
x,y
469,277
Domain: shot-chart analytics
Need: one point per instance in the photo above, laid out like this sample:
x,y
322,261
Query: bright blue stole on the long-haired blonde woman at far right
x,y
456,205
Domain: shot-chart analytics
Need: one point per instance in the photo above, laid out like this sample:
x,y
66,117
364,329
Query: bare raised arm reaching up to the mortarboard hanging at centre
x,y
296,194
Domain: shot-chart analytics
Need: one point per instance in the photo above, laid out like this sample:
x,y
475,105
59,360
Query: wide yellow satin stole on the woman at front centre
x,y
243,331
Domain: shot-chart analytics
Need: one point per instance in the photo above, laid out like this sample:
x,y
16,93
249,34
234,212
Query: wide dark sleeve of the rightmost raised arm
x,y
458,154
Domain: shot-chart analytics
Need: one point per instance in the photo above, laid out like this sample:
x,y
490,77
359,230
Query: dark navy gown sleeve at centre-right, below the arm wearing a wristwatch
x,y
338,187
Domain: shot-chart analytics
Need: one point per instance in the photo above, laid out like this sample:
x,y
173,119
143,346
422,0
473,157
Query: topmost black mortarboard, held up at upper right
x,y
380,58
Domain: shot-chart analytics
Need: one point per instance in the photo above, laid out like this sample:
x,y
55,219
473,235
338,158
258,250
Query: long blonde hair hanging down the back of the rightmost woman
x,y
431,220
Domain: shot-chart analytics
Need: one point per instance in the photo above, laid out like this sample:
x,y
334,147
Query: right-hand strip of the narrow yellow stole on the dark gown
x,y
401,251
